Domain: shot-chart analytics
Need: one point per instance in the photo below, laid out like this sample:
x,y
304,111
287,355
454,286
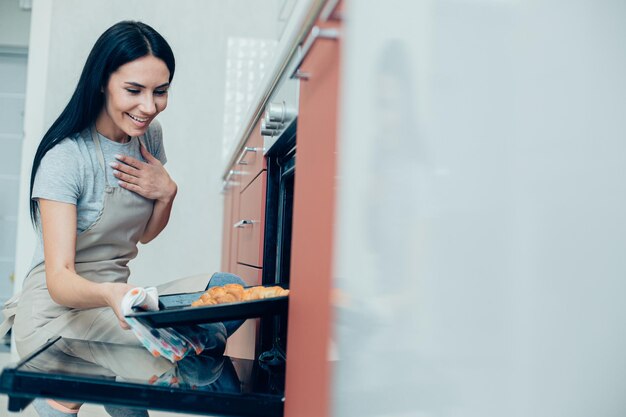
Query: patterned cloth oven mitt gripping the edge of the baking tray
x,y
172,344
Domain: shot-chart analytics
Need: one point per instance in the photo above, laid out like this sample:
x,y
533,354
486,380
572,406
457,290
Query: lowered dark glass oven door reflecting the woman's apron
x,y
105,373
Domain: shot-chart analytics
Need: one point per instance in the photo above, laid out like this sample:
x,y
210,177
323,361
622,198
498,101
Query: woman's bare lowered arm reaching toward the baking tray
x,y
66,287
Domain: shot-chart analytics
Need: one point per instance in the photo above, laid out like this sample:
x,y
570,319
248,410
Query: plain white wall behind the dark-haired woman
x,y
63,32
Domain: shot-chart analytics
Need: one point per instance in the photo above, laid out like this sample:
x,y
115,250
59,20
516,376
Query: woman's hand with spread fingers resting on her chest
x,y
148,179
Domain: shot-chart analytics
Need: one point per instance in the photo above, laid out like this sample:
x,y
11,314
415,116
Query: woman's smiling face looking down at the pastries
x,y
134,95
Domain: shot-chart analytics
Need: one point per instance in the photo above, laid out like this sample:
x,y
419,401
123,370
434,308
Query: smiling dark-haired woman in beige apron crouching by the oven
x,y
98,187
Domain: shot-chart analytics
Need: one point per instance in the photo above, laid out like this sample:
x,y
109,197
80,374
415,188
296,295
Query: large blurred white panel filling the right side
x,y
480,220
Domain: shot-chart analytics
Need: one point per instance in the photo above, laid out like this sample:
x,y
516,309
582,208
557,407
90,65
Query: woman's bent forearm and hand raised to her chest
x,y
150,180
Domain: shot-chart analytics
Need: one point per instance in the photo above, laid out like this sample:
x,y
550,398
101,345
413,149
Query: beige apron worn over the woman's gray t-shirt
x,y
102,255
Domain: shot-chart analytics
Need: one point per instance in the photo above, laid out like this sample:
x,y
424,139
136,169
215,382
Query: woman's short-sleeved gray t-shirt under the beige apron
x,y
70,173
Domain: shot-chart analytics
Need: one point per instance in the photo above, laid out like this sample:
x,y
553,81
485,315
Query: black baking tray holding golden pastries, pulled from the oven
x,y
175,310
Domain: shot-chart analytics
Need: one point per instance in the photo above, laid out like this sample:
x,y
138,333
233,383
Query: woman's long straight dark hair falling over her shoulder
x,y
122,43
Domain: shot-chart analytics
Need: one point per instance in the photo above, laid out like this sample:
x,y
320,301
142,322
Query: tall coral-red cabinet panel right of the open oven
x,y
309,324
